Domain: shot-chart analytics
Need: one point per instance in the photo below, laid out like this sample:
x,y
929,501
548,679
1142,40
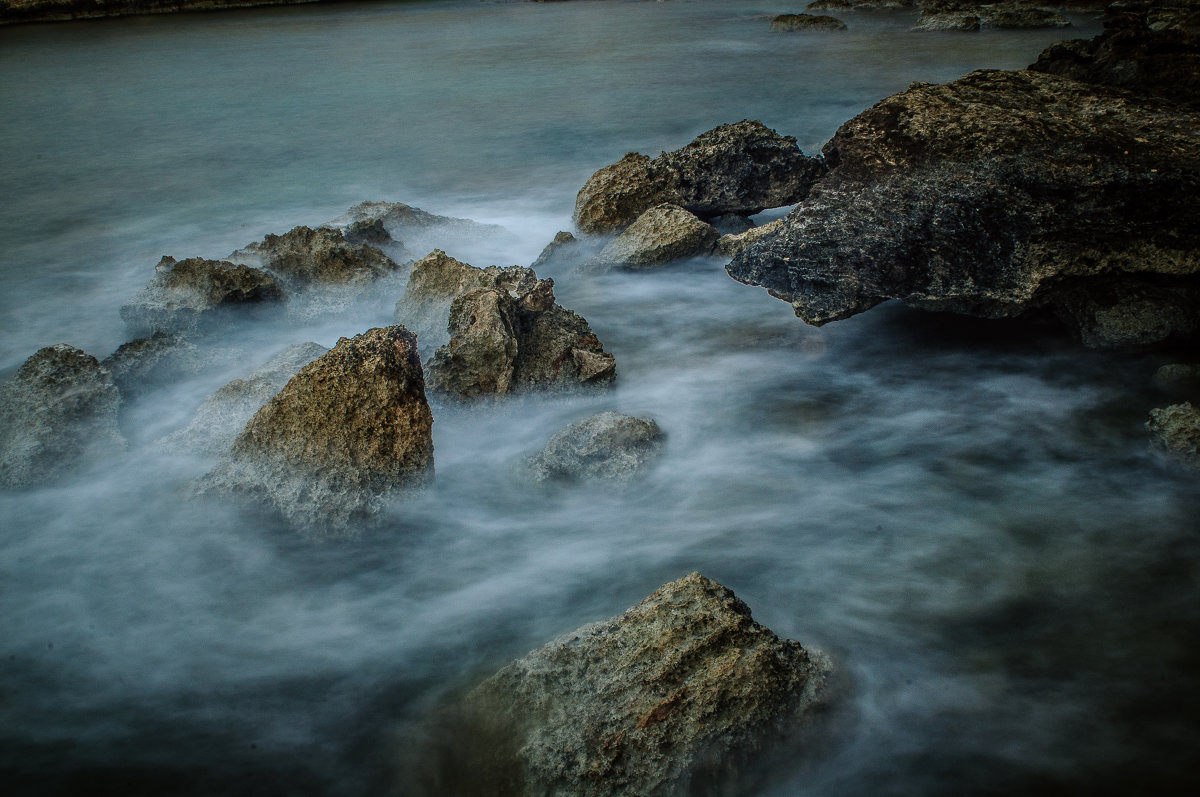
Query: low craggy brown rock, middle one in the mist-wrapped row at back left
x,y
307,257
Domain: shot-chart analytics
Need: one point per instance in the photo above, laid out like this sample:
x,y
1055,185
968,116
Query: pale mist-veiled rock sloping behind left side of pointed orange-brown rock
x,y
221,418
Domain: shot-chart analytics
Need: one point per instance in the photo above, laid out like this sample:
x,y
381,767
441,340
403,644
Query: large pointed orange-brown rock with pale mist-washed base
x,y
350,430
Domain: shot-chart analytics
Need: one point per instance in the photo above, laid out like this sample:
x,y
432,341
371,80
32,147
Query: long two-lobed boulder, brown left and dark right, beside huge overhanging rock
x,y
740,169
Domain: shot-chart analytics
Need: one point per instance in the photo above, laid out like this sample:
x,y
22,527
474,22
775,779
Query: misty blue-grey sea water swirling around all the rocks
x,y
964,514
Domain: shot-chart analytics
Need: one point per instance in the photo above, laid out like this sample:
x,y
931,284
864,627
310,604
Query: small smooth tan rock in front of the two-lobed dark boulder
x,y
662,235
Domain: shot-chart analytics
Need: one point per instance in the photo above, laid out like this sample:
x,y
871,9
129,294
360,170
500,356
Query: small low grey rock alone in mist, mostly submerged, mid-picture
x,y
608,446
